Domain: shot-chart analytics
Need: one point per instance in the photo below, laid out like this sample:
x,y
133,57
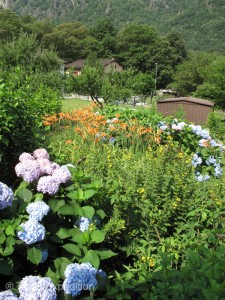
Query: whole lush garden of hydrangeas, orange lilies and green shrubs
x,y
108,203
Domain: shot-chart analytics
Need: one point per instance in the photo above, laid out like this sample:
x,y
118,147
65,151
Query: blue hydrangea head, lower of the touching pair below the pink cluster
x,y
32,232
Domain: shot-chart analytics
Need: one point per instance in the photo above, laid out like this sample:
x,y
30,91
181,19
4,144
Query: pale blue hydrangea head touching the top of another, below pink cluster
x,y
37,210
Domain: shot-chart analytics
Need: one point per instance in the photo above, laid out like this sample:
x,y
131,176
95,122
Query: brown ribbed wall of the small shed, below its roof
x,y
194,112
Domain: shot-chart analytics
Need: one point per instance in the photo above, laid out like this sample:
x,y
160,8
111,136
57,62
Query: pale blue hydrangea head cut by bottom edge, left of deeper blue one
x,y
35,288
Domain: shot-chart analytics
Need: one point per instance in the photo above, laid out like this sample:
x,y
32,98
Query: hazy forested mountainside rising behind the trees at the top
x,y
201,22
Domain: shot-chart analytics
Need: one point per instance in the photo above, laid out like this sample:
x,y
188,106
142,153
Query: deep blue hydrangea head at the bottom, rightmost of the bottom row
x,y
79,277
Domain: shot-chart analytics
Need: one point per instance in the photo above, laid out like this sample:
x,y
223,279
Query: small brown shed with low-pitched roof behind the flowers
x,y
195,110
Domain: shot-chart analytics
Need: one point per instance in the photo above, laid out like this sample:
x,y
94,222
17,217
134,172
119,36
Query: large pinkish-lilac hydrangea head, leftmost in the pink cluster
x,y
29,170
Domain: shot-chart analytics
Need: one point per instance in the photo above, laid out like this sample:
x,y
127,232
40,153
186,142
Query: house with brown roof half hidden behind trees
x,y
108,64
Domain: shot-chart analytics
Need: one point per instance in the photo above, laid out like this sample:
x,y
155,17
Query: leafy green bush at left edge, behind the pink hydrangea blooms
x,y
22,109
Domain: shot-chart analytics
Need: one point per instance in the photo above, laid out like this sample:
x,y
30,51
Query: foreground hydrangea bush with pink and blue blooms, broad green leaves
x,y
38,227
